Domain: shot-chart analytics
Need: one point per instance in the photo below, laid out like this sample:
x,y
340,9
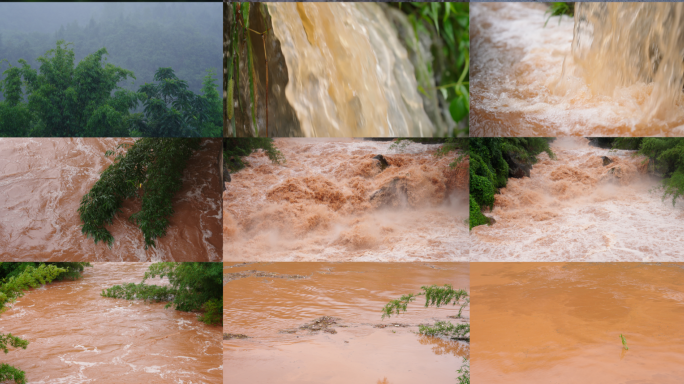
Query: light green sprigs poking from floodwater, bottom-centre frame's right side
x,y
438,296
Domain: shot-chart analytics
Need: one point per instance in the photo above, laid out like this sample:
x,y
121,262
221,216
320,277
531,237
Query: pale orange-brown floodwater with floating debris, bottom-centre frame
x,y
355,292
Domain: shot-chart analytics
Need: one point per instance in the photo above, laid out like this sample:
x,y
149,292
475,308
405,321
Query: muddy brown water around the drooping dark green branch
x,y
43,180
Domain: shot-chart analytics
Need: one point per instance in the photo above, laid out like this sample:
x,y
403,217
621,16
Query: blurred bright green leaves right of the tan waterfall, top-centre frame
x,y
450,22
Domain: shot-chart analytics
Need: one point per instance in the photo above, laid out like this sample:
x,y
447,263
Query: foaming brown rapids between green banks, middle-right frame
x,y
582,207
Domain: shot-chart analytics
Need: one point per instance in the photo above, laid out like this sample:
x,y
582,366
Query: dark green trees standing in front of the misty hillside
x,y
65,99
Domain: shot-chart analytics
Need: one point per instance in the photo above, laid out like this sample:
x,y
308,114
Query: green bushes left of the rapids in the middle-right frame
x,y
489,171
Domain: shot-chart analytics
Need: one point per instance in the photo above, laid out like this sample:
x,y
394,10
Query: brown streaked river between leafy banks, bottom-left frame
x,y
77,336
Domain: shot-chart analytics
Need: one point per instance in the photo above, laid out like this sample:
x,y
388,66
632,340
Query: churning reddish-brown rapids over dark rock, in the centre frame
x,y
331,201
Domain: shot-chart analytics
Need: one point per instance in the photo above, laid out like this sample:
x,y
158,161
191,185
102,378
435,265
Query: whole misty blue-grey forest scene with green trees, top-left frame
x,y
110,70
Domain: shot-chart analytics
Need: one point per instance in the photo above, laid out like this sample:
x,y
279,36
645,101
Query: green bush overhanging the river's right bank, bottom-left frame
x,y
193,286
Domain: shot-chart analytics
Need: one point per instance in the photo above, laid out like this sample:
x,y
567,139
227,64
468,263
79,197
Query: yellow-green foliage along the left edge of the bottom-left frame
x,y
10,289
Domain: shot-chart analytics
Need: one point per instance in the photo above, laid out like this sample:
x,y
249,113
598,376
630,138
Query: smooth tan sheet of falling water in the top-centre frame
x,y
349,75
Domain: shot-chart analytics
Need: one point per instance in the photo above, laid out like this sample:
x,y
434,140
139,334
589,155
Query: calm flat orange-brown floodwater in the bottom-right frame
x,y
561,323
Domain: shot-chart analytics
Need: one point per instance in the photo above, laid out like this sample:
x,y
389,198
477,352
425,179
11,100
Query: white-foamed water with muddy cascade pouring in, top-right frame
x,y
616,71
